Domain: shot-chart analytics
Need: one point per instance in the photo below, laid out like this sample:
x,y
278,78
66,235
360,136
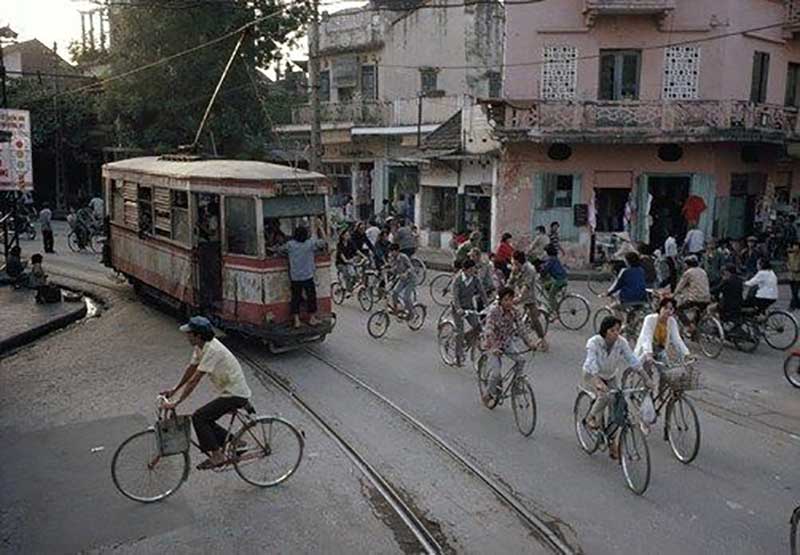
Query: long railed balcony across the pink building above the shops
x,y
646,122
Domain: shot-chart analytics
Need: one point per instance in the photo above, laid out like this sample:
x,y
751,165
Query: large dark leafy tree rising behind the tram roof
x,y
160,108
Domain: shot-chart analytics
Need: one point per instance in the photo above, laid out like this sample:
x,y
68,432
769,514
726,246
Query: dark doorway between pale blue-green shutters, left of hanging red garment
x,y
669,196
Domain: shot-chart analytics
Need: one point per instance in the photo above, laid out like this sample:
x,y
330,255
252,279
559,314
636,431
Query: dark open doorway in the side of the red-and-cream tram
x,y
208,261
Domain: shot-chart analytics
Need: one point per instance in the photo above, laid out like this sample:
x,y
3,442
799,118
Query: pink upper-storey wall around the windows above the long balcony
x,y
725,66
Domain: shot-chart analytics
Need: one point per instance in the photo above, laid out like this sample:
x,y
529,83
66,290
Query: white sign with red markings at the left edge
x,y
16,157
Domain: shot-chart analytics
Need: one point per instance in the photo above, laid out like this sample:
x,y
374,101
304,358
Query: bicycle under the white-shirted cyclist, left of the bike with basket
x,y
634,453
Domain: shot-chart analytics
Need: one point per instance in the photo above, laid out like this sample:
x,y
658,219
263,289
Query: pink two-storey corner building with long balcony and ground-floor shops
x,y
631,107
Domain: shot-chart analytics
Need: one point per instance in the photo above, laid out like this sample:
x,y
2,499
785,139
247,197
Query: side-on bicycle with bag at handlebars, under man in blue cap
x,y
264,451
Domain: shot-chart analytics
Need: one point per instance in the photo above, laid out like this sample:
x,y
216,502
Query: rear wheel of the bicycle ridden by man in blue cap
x,y
273,449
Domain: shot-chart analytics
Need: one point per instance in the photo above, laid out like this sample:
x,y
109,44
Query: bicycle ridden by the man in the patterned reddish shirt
x,y
518,388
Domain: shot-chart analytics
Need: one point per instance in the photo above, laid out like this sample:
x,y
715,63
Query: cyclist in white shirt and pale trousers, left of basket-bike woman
x,y
608,355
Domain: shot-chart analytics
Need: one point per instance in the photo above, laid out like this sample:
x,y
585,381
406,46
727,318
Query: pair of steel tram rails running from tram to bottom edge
x,y
415,523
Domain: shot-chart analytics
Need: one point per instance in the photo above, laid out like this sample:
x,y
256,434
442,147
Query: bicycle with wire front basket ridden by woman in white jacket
x,y
681,424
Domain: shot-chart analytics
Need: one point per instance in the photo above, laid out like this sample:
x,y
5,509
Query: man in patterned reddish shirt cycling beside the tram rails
x,y
503,336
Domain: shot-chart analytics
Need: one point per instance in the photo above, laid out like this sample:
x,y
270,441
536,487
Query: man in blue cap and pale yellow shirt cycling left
x,y
210,357
